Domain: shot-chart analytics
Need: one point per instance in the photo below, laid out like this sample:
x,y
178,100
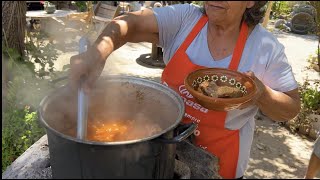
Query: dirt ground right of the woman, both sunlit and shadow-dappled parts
x,y
276,152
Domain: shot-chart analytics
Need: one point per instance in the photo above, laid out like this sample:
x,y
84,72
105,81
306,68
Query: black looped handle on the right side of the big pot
x,y
188,130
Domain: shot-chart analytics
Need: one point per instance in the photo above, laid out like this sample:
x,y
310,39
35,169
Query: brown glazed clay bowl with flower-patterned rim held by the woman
x,y
221,77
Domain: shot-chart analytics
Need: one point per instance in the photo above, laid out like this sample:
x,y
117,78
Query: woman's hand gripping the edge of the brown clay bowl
x,y
261,89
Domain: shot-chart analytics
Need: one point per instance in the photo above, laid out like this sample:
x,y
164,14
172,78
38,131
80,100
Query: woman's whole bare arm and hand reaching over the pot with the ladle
x,y
139,26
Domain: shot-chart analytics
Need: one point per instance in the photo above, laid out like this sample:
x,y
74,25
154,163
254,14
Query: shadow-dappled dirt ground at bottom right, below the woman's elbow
x,y
277,153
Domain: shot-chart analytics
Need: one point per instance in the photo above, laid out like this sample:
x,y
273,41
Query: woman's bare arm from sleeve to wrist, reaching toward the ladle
x,y
140,26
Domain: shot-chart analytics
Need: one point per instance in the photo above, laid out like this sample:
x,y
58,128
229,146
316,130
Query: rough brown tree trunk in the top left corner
x,y
13,24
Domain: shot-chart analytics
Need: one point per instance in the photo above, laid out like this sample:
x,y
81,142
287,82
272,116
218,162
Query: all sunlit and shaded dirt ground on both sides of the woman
x,y
276,152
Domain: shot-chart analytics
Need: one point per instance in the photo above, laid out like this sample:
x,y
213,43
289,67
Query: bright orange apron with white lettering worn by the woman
x,y
211,133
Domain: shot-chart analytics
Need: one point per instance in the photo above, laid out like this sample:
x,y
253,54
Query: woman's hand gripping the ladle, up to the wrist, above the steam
x,y
88,65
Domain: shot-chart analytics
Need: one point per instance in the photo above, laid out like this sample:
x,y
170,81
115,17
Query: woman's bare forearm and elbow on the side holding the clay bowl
x,y
279,106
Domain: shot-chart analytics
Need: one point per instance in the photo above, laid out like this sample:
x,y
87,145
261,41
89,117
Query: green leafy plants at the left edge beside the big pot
x,y
20,128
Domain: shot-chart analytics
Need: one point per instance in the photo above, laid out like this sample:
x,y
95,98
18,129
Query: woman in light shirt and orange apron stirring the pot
x,y
226,34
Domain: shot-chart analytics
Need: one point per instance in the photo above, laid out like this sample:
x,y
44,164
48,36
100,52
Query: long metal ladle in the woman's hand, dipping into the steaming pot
x,y
82,100
